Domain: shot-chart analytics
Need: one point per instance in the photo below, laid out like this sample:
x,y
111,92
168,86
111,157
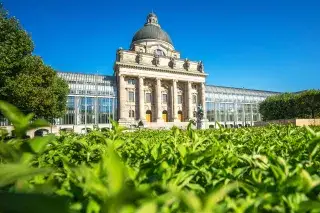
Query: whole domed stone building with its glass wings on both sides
x,y
153,84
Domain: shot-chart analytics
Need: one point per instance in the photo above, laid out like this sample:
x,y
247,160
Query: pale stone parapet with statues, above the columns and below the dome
x,y
146,59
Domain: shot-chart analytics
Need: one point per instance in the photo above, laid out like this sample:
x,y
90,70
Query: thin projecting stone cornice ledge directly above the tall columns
x,y
160,69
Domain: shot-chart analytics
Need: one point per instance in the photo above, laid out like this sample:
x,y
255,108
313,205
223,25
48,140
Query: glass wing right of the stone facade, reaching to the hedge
x,y
234,106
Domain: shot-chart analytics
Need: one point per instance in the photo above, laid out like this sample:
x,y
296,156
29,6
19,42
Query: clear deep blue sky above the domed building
x,y
268,45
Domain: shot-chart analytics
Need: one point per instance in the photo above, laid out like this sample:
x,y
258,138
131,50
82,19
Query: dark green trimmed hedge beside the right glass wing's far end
x,y
304,104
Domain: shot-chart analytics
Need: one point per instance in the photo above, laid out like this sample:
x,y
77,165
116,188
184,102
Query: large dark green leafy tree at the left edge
x,y
25,80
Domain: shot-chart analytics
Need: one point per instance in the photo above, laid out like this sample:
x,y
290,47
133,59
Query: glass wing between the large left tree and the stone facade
x,y
92,99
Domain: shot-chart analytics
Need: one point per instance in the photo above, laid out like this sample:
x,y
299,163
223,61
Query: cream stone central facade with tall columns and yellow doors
x,y
155,84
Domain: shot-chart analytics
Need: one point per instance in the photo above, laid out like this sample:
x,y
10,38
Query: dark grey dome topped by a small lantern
x,y
152,30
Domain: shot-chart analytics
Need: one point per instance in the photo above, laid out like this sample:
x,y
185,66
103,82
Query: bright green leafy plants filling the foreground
x,y
270,169
